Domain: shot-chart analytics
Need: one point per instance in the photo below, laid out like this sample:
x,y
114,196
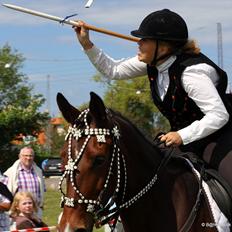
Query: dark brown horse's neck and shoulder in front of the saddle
x,y
142,161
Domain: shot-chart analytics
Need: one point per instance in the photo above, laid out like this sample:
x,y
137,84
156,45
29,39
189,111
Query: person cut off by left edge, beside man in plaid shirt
x,y
5,203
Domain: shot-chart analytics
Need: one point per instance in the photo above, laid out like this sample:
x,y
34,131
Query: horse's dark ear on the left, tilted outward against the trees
x,y
69,112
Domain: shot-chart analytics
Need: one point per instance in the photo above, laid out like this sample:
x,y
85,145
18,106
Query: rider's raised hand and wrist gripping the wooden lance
x,y
83,35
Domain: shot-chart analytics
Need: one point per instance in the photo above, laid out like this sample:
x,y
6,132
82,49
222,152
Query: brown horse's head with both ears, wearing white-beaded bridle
x,y
88,156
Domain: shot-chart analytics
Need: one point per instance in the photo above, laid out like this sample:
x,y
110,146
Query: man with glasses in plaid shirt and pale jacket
x,y
25,175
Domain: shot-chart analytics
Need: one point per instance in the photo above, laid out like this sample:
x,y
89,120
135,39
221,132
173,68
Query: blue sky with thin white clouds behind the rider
x,y
51,49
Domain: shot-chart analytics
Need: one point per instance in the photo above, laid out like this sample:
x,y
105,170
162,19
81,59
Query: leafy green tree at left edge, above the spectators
x,y
19,109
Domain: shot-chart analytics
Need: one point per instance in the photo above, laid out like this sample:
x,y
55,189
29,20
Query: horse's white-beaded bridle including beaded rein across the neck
x,y
94,206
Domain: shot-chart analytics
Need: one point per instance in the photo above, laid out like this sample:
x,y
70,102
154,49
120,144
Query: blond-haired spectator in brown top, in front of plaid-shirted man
x,y
23,212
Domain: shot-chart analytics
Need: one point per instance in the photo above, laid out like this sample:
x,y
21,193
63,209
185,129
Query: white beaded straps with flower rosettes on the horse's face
x,y
71,166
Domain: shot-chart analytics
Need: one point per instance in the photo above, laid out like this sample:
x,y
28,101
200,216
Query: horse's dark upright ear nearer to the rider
x,y
97,107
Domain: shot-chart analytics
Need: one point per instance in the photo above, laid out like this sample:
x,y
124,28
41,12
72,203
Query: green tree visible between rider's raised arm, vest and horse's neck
x,y
133,100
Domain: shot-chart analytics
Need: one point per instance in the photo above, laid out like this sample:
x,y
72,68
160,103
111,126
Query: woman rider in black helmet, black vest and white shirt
x,y
186,86
